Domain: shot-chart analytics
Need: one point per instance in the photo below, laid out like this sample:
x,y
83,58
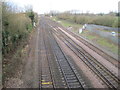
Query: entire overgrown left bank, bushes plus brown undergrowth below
x,y
16,30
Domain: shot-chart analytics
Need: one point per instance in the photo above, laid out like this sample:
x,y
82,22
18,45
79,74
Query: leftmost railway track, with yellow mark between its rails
x,y
45,77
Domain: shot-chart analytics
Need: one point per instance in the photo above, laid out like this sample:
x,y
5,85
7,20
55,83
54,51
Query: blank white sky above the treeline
x,y
93,6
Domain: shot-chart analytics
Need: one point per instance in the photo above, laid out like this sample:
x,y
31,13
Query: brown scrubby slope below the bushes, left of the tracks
x,y
14,63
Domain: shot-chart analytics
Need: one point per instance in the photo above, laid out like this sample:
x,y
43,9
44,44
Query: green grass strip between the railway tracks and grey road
x,y
102,42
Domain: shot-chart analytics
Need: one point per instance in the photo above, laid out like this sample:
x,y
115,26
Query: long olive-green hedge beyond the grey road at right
x,y
105,20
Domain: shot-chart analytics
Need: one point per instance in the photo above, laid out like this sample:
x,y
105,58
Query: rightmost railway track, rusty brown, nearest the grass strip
x,y
88,44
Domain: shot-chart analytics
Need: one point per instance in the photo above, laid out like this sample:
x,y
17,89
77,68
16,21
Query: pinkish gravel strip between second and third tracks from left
x,y
95,82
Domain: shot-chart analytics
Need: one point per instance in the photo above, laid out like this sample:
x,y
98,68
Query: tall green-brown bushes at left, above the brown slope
x,y
16,27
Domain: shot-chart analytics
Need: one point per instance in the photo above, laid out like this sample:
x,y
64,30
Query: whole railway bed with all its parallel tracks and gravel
x,y
58,59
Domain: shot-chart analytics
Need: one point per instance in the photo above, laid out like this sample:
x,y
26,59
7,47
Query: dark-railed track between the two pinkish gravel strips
x,y
103,73
